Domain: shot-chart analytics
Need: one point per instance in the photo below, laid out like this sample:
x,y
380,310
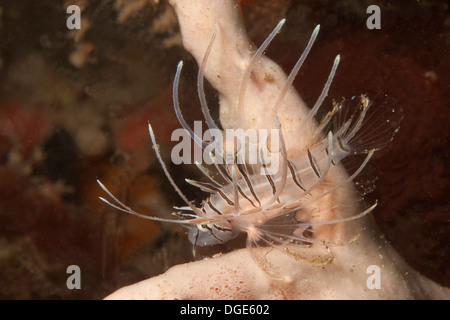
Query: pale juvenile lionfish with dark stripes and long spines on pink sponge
x,y
264,203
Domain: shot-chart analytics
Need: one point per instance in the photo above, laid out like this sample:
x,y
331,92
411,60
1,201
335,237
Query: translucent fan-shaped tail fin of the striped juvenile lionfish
x,y
362,125
